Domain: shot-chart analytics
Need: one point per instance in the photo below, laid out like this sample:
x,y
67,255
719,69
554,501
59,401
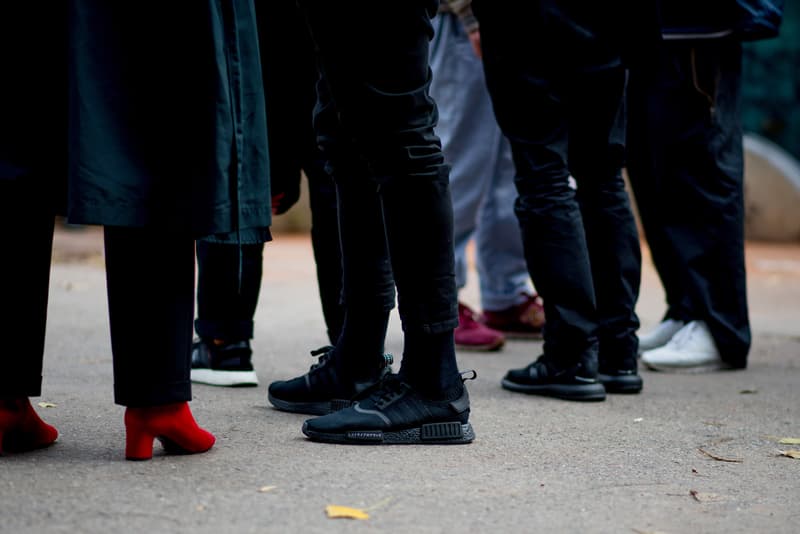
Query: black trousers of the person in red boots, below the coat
x,y
150,283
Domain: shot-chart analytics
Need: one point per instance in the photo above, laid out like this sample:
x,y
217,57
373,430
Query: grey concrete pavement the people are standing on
x,y
630,464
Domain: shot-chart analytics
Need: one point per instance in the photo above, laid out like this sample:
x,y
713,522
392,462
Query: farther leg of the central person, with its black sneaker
x,y
356,361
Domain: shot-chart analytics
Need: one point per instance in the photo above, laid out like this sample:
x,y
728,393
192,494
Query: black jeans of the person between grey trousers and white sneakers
x,y
566,119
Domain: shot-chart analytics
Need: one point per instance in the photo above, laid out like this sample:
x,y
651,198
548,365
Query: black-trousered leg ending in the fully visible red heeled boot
x,y
150,278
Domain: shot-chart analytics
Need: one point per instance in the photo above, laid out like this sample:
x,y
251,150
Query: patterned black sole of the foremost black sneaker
x,y
451,433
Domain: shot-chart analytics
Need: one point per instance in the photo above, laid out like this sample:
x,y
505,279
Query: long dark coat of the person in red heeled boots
x,y
154,110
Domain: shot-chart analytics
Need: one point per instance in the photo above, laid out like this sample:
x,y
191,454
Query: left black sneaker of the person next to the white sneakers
x,y
543,377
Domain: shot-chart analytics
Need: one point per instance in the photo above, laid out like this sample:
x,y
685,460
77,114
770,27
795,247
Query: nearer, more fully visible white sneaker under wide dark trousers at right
x,y
691,349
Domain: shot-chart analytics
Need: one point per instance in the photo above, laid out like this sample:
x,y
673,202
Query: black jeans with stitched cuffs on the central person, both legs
x,y
375,123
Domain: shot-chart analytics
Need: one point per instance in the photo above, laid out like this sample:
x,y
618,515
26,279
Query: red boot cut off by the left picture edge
x,y
21,429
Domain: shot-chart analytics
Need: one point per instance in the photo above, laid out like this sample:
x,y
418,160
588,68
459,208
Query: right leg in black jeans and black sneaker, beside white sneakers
x,y
596,154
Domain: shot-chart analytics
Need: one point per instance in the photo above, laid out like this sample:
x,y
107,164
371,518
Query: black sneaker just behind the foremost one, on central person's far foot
x,y
323,389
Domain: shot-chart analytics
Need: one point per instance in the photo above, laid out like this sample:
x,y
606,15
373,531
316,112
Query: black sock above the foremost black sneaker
x,y
429,365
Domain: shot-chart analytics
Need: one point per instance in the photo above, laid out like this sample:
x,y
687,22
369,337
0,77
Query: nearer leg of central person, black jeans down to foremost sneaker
x,y
385,108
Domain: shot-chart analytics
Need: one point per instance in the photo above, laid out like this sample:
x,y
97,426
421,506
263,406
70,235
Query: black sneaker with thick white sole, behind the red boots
x,y
223,365
